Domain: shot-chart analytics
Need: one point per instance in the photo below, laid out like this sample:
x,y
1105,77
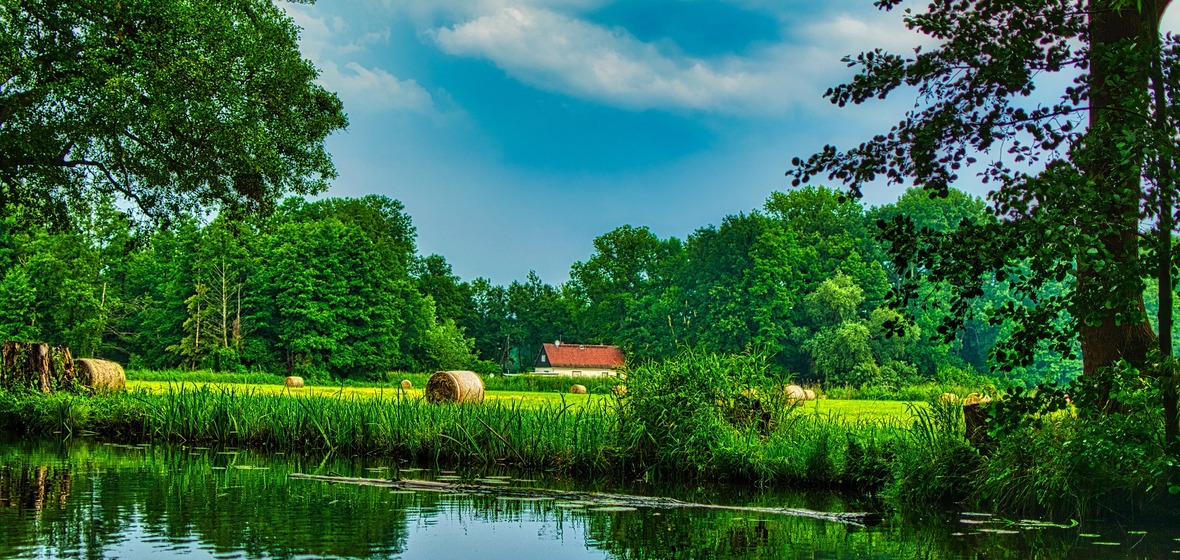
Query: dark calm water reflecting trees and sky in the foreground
x,y
88,500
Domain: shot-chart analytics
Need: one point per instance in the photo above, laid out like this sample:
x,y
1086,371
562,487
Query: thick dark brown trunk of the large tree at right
x,y
1113,337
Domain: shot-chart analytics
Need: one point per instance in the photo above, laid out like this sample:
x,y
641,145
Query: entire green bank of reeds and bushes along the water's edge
x,y
680,421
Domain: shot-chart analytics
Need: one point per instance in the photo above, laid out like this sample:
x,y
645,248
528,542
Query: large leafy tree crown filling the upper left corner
x,y
168,104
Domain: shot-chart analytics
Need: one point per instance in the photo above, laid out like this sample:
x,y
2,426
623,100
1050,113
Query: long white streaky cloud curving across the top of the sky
x,y
559,52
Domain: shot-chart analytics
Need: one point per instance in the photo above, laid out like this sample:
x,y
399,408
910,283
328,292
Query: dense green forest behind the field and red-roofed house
x,y
336,289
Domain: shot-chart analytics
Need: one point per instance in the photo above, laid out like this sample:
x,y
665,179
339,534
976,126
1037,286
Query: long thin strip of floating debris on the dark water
x,y
848,518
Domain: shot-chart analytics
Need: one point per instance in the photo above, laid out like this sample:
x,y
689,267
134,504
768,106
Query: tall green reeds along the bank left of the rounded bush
x,y
550,436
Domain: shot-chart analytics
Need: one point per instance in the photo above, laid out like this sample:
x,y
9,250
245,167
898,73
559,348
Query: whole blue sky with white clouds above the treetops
x,y
517,131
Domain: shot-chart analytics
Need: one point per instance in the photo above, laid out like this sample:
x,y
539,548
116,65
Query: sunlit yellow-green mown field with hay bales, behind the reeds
x,y
848,412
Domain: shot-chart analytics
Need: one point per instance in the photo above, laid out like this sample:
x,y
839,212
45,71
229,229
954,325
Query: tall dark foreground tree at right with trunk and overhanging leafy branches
x,y
1077,175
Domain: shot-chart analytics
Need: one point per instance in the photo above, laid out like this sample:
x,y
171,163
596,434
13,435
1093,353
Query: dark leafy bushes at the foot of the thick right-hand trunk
x,y
1056,451
